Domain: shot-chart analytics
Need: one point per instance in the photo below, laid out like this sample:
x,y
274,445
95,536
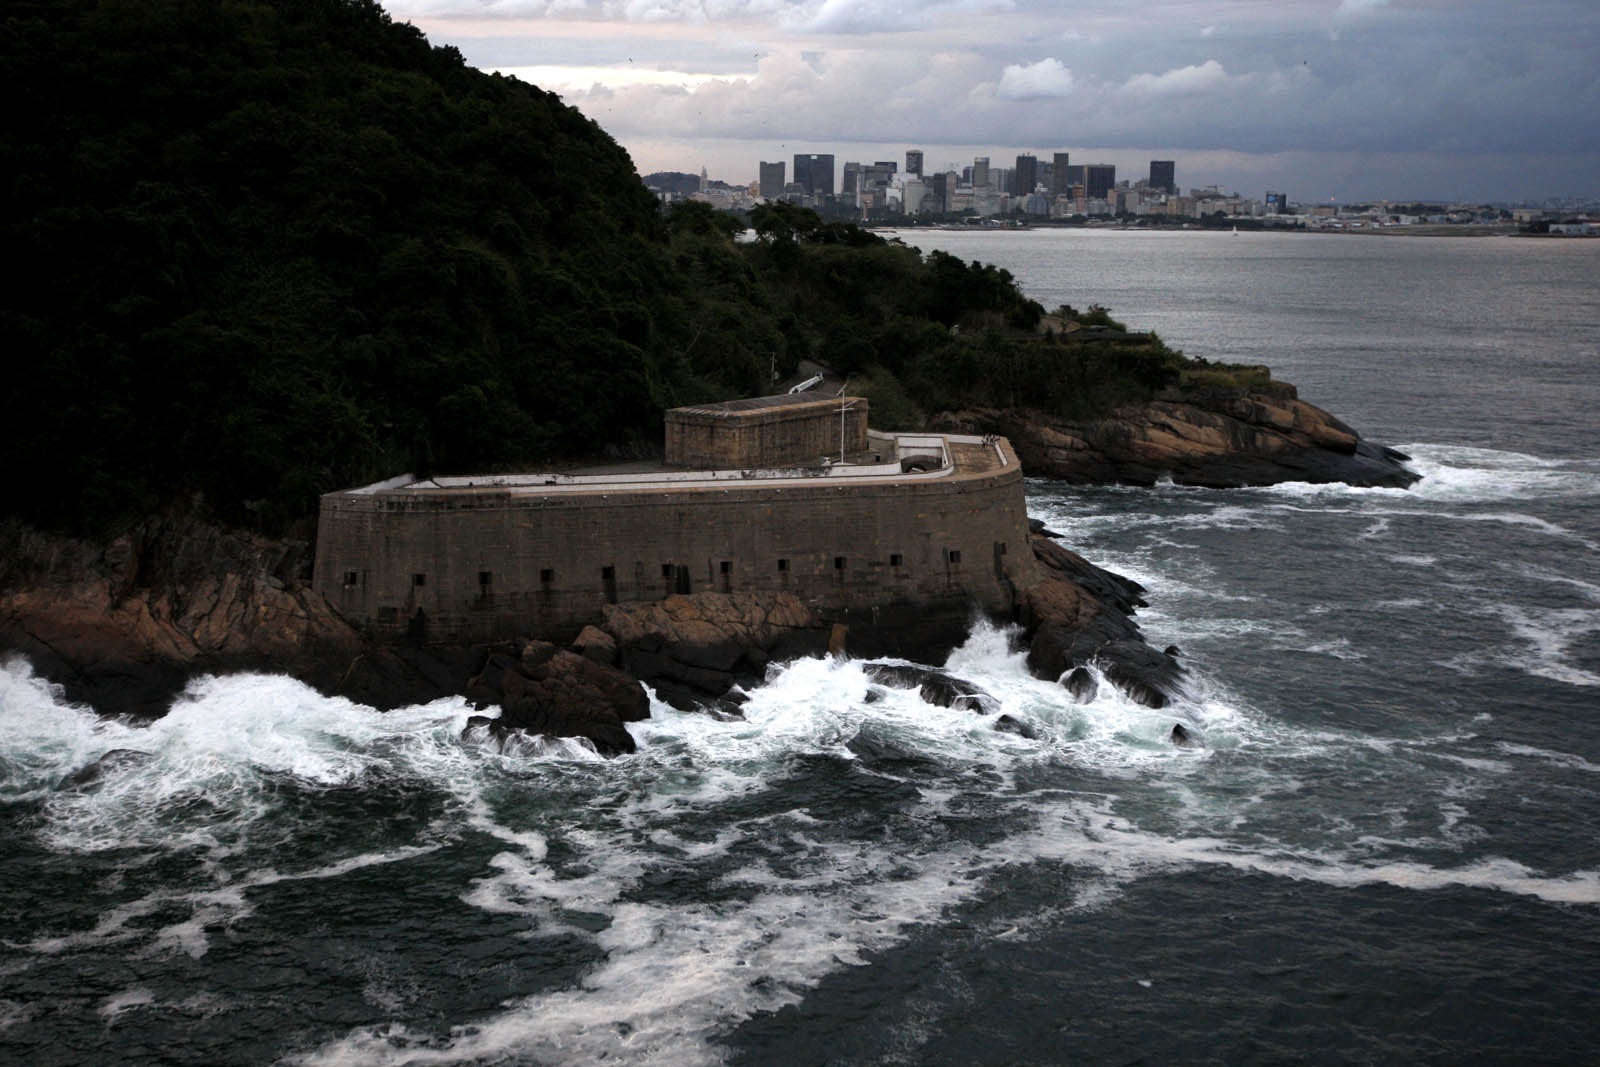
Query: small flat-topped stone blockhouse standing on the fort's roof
x,y
719,438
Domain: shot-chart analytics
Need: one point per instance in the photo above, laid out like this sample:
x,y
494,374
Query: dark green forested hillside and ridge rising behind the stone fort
x,y
265,249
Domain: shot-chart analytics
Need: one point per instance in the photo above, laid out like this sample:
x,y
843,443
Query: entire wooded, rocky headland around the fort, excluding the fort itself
x,y
225,308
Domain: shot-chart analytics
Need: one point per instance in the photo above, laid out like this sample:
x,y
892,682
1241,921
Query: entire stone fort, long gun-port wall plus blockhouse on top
x,y
919,521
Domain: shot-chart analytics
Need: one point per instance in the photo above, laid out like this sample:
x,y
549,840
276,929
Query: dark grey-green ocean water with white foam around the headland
x,y
1385,850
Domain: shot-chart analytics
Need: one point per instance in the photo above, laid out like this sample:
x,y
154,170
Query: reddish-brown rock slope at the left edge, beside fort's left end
x,y
124,626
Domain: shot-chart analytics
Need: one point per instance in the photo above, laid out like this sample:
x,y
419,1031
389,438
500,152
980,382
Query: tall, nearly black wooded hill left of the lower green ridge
x,y
268,249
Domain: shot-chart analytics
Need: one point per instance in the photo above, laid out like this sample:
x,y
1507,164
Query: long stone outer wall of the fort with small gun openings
x,y
490,564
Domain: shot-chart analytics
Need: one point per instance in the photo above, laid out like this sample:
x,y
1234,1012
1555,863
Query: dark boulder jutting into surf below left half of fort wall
x,y
546,690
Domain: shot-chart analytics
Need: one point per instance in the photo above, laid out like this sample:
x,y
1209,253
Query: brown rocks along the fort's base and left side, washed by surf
x,y
126,626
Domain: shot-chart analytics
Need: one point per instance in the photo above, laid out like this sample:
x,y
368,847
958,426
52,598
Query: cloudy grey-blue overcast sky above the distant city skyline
x,y
1324,100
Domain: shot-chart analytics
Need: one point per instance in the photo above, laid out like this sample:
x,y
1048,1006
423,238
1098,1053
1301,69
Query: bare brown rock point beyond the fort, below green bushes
x,y
1222,439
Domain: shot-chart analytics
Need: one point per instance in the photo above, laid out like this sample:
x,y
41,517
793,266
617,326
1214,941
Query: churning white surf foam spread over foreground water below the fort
x,y
793,901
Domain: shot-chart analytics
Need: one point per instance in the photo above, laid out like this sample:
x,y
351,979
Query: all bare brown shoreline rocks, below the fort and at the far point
x,y
124,626
